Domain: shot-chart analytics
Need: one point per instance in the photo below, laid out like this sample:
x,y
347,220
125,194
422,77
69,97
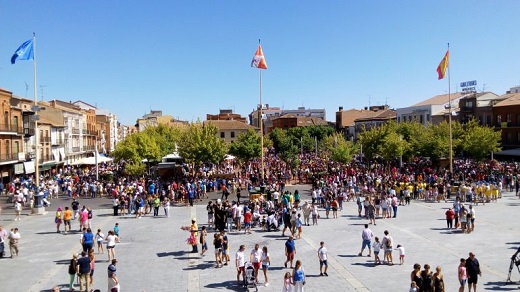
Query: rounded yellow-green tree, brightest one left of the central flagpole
x,y
199,144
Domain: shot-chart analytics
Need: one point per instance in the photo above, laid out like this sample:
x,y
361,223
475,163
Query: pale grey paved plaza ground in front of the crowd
x,y
153,254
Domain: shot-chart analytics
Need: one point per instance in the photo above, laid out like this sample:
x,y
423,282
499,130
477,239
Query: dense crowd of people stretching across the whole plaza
x,y
378,190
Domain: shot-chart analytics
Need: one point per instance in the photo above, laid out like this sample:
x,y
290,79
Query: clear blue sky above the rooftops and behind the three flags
x,y
190,58
